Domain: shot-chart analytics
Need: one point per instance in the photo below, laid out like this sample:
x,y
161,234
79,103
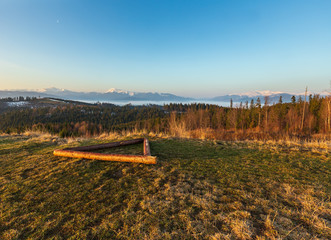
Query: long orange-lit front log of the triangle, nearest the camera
x,y
106,157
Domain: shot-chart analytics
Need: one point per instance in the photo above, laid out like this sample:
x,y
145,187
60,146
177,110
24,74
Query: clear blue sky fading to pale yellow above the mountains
x,y
185,47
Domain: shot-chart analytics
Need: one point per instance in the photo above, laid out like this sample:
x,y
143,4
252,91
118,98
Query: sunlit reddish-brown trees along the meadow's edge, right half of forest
x,y
258,119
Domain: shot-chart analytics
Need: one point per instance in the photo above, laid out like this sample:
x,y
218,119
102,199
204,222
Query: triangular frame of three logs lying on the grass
x,y
84,152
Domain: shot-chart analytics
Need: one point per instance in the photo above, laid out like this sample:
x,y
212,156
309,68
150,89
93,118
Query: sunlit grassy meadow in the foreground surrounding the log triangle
x,y
198,190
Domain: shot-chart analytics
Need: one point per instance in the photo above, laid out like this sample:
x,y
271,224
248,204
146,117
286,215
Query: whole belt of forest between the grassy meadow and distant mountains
x,y
258,119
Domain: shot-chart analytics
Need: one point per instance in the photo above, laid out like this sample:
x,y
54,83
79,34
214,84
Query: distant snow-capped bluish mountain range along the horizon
x,y
122,95
